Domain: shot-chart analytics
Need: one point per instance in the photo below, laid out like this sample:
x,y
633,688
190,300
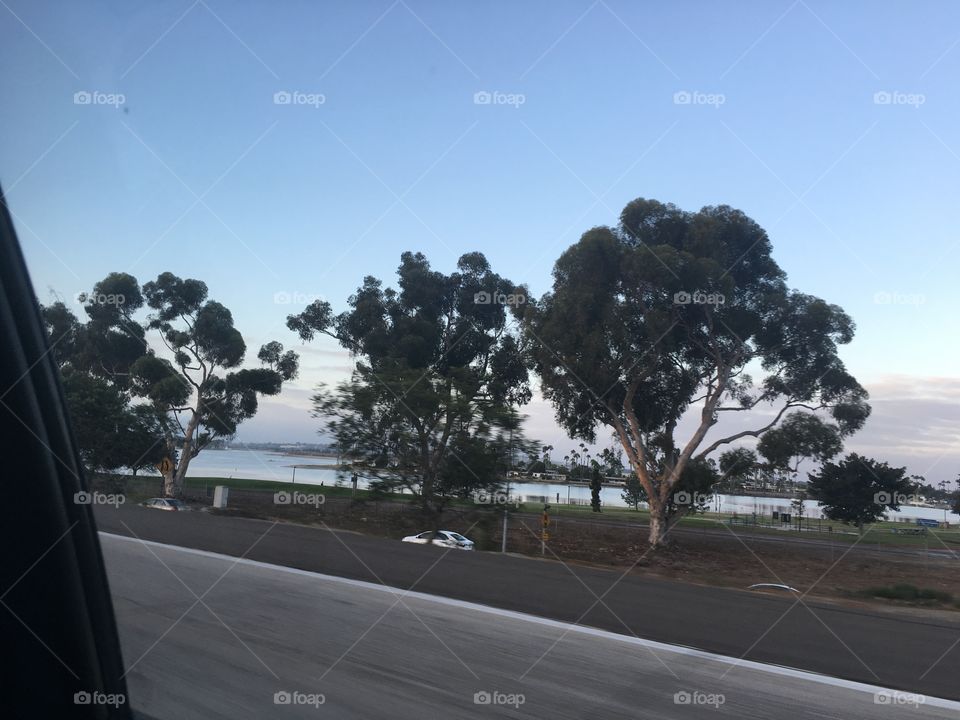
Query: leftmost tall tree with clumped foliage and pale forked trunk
x,y
178,405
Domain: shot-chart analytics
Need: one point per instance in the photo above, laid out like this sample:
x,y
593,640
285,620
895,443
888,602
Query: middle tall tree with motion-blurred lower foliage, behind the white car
x,y
438,371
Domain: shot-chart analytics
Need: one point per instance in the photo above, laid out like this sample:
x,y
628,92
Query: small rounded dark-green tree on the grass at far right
x,y
859,490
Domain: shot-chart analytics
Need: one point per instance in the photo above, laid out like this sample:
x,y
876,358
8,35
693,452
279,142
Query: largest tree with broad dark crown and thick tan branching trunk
x,y
664,314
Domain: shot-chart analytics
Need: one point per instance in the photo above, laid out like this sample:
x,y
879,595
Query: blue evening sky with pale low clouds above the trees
x,y
280,152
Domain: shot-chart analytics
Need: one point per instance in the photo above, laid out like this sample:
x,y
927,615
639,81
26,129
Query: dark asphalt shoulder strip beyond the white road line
x,y
898,650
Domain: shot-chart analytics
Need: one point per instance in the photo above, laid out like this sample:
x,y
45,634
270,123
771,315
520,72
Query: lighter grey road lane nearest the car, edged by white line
x,y
206,636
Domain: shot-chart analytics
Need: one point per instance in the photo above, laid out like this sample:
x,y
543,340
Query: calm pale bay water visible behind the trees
x,y
259,465
